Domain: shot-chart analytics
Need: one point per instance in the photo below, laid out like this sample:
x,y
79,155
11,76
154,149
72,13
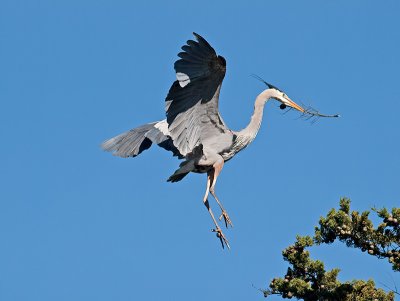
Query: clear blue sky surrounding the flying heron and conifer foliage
x,y
79,224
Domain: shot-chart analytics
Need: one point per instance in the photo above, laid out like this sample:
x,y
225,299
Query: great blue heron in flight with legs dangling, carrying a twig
x,y
194,129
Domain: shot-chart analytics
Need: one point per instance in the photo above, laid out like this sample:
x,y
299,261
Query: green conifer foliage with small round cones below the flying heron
x,y
307,279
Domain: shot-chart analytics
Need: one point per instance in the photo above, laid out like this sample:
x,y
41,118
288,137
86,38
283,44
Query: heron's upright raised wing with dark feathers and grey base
x,y
192,101
